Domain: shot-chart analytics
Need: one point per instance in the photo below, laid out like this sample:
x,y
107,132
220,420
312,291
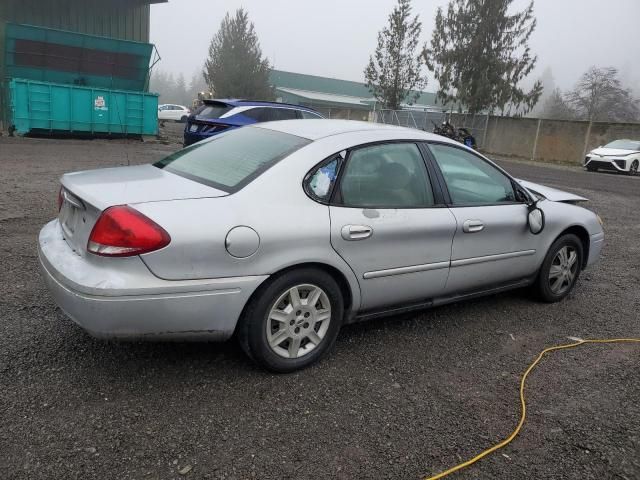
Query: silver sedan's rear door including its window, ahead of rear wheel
x,y
390,226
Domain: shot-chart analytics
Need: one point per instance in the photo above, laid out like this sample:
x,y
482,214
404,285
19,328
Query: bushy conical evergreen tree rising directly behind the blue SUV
x,y
235,67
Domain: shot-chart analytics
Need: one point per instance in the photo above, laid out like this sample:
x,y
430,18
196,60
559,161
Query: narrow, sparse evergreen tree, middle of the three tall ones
x,y
394,71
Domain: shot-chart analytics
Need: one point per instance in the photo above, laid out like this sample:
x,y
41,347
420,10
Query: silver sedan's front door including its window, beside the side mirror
x,y
492,242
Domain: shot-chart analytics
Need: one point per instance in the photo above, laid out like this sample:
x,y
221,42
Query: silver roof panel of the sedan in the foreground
x,y
315,129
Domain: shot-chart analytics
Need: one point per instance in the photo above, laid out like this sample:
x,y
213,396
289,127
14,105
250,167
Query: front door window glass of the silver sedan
x,y
471,180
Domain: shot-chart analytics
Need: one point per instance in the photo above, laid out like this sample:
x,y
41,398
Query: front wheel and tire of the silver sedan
x,y
560,269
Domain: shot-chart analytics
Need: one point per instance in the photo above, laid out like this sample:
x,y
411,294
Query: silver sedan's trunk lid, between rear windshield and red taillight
x,y
86,194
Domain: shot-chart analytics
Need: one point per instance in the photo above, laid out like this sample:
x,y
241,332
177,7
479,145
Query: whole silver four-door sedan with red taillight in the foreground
x,y
283,232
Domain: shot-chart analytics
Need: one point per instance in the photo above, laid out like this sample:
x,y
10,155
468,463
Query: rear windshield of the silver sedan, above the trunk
x,y
231,160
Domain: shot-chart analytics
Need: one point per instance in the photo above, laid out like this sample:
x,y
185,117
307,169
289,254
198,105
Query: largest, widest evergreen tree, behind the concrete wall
x,y
479,54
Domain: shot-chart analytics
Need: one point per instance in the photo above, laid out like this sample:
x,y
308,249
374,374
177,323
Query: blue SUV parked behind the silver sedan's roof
x,y
216,116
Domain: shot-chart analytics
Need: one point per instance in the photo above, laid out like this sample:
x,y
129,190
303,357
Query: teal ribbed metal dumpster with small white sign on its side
x,y
44,107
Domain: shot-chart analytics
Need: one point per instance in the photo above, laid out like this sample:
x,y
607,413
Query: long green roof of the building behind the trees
x,y
334,86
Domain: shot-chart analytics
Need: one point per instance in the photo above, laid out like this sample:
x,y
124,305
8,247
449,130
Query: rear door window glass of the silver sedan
x,y
386,176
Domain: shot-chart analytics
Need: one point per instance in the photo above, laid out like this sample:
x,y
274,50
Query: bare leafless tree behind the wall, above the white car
x,y
600,96
